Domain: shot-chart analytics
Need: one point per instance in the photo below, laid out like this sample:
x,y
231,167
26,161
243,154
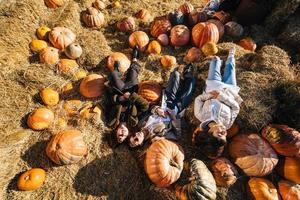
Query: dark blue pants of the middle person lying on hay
x,y
179,92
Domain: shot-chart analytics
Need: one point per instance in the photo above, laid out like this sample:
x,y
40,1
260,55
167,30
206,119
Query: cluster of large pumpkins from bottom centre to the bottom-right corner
x,y
255,154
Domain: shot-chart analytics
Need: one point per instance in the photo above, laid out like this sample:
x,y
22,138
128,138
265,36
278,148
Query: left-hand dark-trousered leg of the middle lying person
x,y
172,88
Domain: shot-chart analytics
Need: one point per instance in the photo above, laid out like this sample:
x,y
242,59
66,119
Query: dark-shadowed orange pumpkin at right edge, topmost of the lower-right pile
x,y
285,140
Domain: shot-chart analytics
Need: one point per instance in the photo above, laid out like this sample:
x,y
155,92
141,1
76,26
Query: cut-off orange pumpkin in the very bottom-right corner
x,y
289,190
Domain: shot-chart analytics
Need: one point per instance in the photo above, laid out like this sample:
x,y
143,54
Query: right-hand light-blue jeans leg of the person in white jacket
x,y
229,71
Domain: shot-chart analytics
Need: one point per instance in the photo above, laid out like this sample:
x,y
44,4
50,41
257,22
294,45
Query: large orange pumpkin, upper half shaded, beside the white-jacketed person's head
x,y
253,154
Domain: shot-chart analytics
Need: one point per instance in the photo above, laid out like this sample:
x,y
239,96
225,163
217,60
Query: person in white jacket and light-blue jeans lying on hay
x,y
218,106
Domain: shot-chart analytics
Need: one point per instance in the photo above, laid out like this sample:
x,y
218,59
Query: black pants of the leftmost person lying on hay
x,y
131,81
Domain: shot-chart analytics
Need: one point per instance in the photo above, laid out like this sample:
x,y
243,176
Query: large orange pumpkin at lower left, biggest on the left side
x,y
66,147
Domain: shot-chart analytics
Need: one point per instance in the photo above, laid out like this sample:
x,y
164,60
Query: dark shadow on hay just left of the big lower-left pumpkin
x,y
36,156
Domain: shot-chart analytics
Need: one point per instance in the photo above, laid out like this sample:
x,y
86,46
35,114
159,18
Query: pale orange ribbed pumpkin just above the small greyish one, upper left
x,y
61,37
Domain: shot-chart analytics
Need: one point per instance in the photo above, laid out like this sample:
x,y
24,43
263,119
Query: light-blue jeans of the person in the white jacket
x,y
214,72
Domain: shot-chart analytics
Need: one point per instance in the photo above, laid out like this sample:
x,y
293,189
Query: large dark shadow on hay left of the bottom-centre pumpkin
x,y
116,176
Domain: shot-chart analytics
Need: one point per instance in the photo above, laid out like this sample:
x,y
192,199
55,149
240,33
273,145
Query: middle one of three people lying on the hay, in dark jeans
x,y
165,120
